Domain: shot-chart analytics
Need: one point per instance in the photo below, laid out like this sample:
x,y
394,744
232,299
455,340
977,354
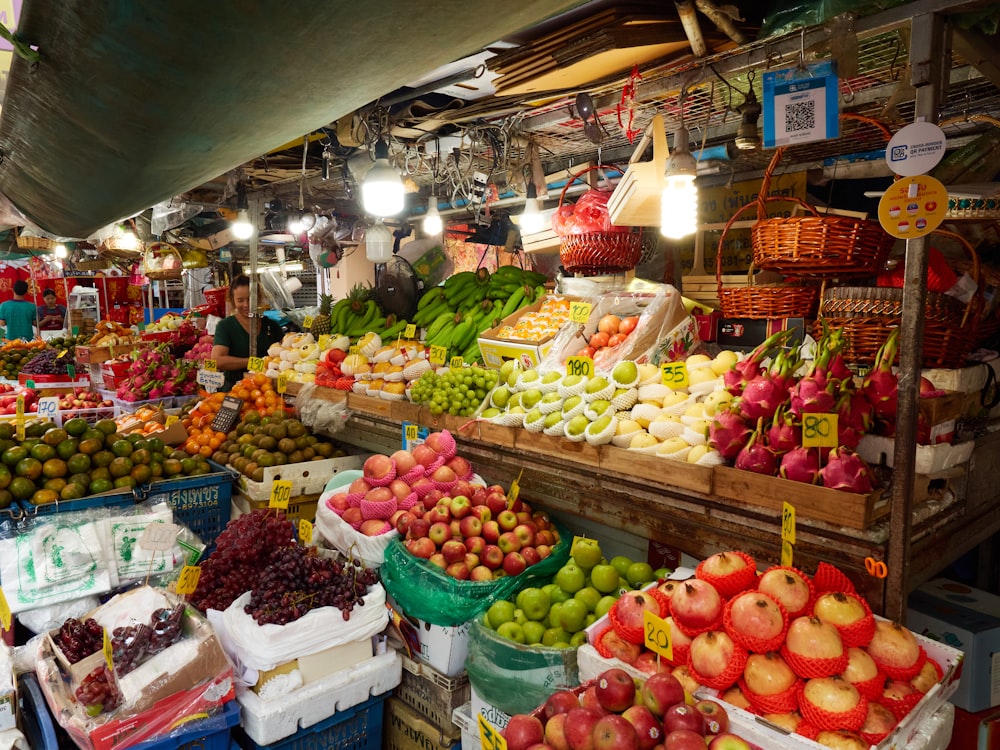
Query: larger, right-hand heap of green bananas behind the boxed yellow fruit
x,y
456,313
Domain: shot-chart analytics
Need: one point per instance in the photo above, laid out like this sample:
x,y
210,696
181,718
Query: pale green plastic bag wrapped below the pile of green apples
x,y
514,677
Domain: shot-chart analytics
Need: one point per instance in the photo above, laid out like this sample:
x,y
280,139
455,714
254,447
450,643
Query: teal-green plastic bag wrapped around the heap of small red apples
x,y
424,591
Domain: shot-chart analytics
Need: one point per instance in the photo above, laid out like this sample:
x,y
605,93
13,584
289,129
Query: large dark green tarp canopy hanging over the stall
x,y
135,101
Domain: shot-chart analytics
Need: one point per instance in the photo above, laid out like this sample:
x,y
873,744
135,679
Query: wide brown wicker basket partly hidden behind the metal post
x,y
867,315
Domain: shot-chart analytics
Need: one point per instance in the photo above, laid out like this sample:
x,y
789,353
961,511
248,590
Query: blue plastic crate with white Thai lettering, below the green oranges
x,y
202,503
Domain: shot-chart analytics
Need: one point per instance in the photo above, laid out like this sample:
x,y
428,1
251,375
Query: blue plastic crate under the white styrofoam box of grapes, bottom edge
x,y
356,728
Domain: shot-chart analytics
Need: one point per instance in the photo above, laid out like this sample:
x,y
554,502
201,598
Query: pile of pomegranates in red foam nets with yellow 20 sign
x,y
807,654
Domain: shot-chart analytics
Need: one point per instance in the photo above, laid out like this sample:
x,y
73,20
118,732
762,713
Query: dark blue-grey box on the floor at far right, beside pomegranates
x,y
967,619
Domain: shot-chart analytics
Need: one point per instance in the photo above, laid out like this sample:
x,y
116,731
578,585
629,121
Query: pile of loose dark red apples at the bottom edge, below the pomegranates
x,y
617,712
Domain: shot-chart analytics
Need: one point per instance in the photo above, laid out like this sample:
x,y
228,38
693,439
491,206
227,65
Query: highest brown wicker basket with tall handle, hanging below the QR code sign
x,y
816,245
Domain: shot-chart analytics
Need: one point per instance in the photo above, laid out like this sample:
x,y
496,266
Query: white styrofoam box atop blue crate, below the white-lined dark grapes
x,y
266,722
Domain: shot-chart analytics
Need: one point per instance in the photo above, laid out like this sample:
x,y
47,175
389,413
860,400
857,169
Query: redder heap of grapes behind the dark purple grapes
x,y
242,551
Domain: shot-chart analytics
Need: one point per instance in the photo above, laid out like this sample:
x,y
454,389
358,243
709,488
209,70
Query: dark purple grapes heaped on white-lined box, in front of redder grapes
x,y
298,580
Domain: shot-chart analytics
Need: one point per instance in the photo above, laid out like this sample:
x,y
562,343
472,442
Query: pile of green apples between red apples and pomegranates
x,y
556,614
